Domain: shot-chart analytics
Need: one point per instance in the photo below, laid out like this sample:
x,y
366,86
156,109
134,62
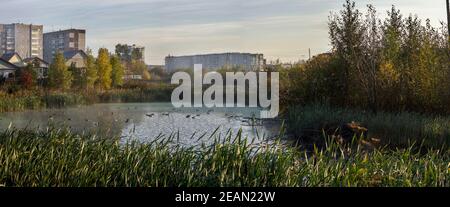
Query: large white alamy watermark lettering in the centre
x,y
235,90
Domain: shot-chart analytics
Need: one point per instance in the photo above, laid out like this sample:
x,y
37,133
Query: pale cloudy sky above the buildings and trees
x,y
280,29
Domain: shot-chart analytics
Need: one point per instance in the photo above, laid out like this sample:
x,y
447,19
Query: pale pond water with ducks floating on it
x,y
146,121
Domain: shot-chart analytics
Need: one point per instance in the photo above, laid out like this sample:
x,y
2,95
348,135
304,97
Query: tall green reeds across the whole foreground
x,y
60,158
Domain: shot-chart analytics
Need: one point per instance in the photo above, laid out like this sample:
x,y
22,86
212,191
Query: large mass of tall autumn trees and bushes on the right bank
x,y
396,64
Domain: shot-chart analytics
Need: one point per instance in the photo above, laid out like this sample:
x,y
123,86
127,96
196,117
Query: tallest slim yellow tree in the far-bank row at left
x,y
104,69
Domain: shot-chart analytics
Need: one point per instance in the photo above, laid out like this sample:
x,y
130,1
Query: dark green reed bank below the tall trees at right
x,y
397,129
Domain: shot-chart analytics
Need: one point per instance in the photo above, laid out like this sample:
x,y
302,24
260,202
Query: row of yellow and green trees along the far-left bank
x,y
105,72
